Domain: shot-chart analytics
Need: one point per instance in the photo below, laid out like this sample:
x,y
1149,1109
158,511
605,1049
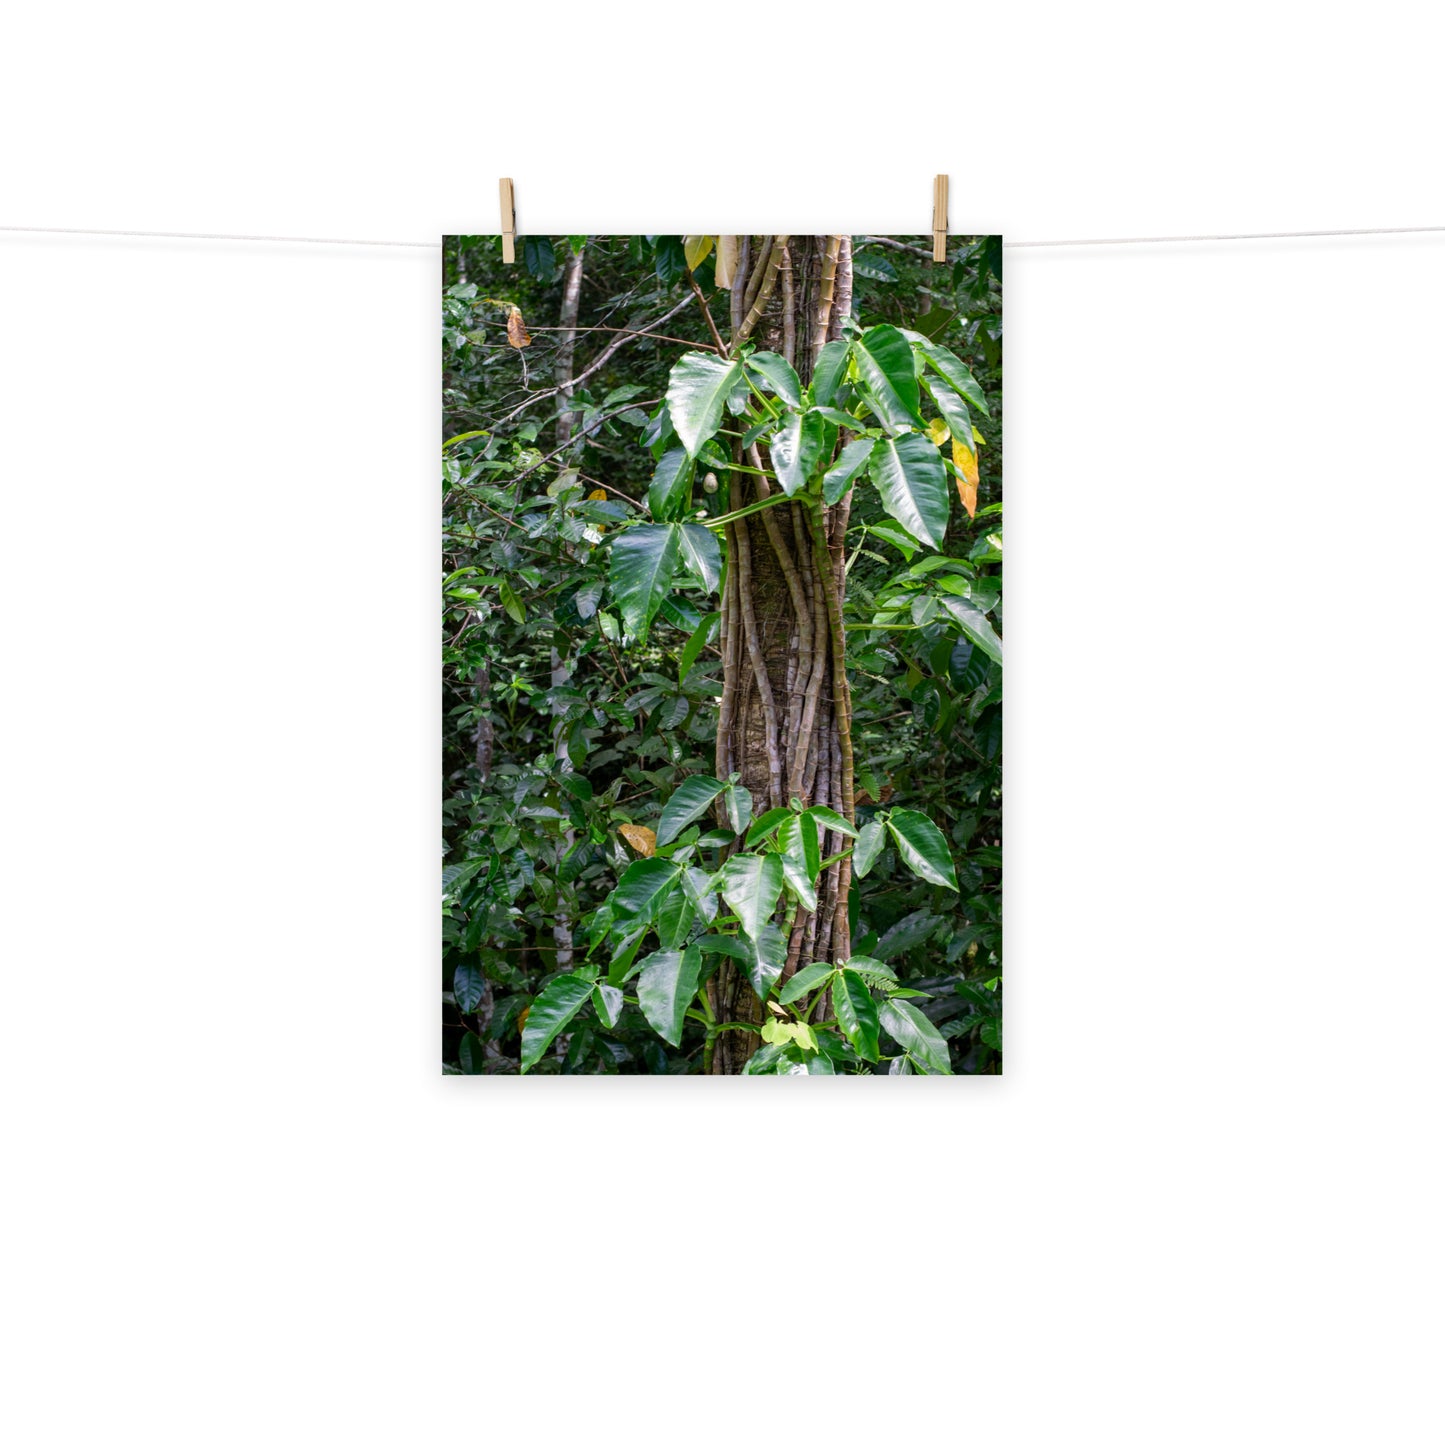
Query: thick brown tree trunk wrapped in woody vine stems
x,y
784,720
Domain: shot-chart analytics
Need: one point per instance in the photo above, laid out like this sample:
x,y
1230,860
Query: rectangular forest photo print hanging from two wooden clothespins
x,y
722,660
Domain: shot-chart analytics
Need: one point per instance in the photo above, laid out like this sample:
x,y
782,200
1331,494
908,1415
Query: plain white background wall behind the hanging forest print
x,y
1203,1204
